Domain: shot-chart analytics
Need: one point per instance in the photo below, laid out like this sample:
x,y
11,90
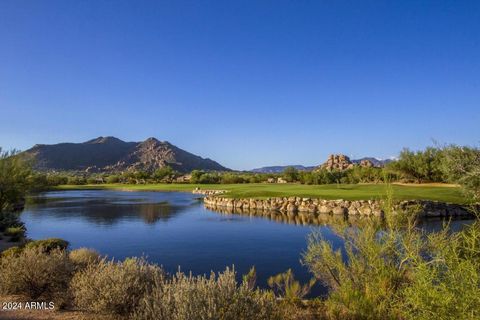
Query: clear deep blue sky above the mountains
x,y
247,83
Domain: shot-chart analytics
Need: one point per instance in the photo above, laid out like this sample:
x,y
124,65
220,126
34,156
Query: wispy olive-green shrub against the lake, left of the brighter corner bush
x,y
364,283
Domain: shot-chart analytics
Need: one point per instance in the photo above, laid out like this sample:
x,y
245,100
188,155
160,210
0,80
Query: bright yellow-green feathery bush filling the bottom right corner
x,y
447,285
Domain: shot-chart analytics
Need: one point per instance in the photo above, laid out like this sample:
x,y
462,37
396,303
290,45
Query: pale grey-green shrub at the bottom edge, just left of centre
x,y
184,297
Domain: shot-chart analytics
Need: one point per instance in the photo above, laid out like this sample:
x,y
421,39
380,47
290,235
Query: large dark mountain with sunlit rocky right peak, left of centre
x,y
110,154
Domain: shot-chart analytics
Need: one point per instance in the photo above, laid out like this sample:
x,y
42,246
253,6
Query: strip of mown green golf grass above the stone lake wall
x,y
446,193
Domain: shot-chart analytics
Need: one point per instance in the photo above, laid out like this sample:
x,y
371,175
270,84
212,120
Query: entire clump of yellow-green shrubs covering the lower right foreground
x,y
394,270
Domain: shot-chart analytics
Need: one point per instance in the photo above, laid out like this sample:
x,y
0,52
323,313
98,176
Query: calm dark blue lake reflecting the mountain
x,y
174,230
